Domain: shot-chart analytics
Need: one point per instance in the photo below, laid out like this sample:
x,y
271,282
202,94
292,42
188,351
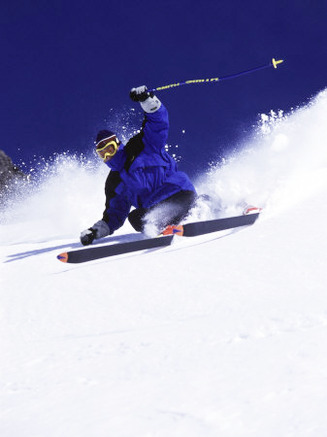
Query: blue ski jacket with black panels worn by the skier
x,y
142,172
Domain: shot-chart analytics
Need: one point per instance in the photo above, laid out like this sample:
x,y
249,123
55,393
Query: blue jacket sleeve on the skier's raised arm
x,y
155,129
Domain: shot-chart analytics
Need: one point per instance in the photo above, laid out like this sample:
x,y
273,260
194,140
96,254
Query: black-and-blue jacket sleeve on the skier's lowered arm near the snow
x,y
117,205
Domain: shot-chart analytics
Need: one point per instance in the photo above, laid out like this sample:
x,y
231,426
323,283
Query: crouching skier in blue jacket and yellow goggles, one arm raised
x,y
143,175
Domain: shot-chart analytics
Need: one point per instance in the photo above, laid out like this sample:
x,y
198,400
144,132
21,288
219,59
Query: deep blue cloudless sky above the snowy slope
x,y
67,68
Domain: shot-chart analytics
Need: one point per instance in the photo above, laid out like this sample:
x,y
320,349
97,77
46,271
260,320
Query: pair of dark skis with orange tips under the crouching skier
x,y
187,230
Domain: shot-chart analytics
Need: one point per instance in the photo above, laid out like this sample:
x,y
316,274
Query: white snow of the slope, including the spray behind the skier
x,y
224,338
